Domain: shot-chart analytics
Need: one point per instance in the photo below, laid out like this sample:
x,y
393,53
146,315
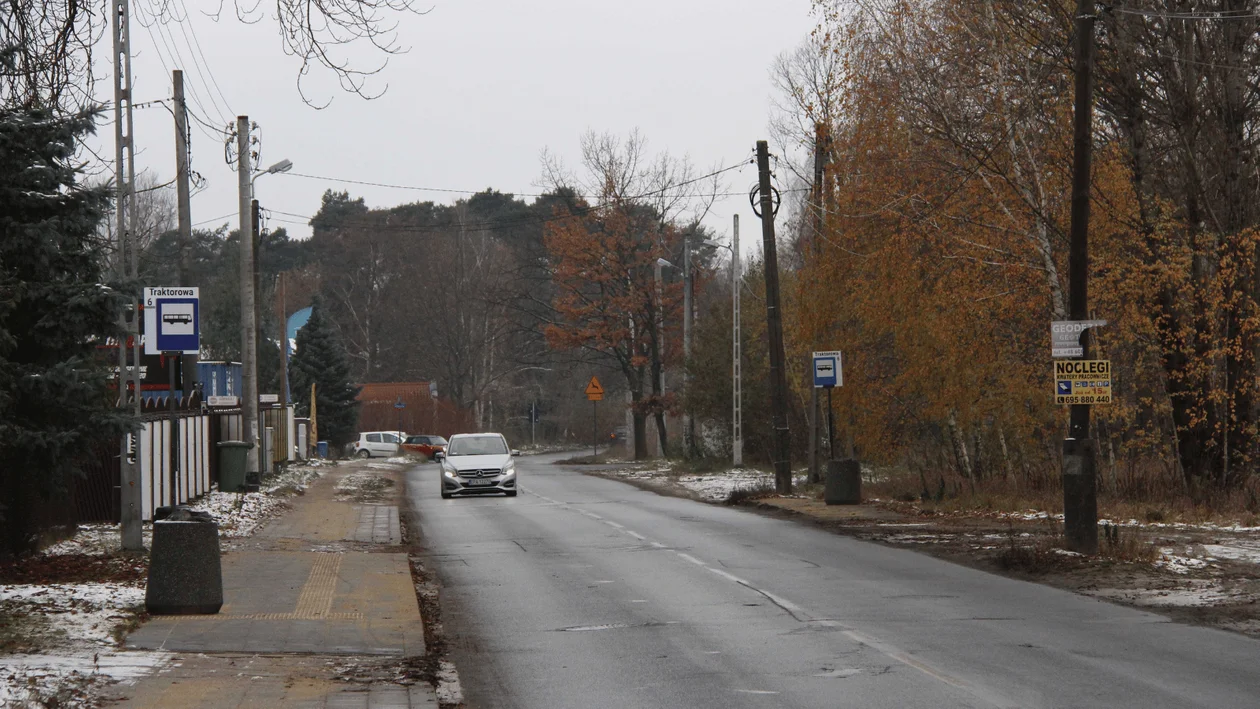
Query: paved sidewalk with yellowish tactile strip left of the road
x,y
321,591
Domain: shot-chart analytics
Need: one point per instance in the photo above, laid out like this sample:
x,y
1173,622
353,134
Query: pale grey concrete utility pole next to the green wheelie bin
x,y
249,323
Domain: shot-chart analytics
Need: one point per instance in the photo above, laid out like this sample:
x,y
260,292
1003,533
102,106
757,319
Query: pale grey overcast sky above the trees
x,y
486,86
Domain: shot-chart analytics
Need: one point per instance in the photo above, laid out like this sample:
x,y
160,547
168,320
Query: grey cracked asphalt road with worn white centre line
x,y
592,594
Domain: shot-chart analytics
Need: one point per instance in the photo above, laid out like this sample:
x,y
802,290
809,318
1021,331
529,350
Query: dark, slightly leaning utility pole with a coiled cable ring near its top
x,y
774,328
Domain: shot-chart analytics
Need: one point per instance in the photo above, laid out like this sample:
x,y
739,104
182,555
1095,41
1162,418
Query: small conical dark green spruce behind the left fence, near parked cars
x,y
321,360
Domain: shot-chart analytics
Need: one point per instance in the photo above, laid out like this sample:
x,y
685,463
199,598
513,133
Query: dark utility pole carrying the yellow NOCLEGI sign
x,y
1080,501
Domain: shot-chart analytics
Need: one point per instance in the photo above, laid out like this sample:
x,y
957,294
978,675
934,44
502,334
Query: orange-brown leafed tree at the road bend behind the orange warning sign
x,y
607,303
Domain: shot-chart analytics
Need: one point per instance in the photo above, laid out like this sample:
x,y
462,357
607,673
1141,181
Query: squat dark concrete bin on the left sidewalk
x,y
186,576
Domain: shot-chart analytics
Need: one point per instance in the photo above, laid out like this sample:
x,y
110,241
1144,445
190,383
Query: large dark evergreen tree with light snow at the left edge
x,y
56,404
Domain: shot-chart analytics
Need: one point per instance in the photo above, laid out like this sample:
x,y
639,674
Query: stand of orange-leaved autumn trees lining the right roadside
x,y
943,260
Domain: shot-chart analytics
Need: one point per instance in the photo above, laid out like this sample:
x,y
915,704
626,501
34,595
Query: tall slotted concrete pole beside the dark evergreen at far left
x,y
125,212
